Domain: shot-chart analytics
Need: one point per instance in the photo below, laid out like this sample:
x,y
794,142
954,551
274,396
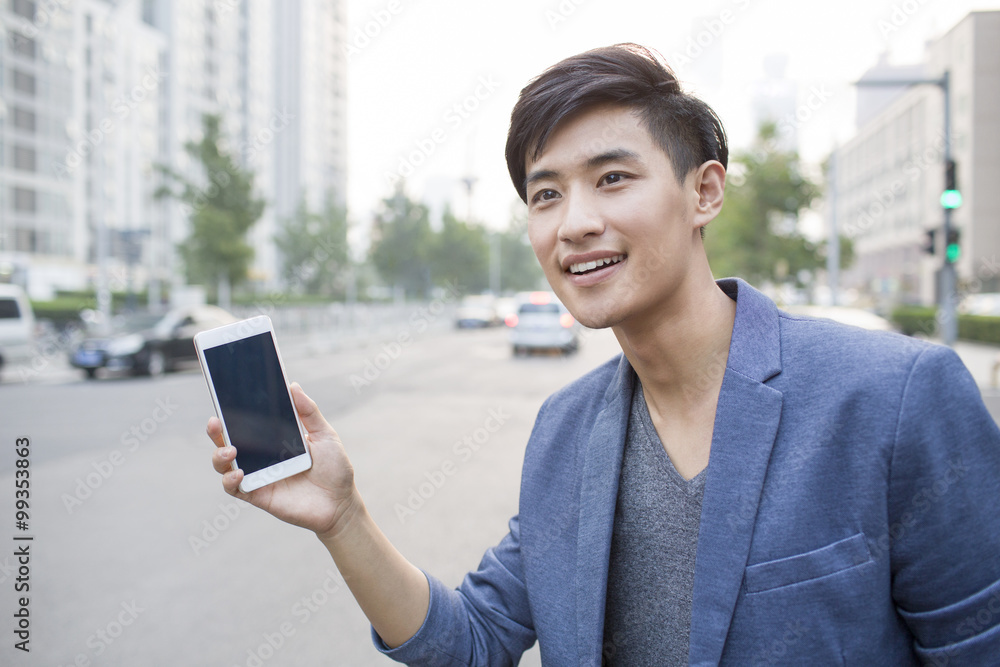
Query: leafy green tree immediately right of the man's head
x,y
756,235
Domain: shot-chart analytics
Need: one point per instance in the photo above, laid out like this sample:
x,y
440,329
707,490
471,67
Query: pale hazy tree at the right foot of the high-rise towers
x,y
314,252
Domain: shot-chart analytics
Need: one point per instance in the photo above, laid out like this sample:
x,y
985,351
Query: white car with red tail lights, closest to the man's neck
x,y
543,323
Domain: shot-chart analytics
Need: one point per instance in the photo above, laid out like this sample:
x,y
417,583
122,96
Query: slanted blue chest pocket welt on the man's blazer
x,y
837,557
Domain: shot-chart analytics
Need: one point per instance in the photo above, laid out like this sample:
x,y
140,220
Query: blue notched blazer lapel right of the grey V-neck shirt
x,y
746,423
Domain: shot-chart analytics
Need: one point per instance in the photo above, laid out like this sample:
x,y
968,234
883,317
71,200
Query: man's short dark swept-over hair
x,y
684,127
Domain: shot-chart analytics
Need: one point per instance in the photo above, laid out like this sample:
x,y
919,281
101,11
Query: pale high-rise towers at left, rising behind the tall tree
x,y
96,95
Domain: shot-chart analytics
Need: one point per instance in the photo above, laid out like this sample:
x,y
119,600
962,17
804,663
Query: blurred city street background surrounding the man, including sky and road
x,y
166,166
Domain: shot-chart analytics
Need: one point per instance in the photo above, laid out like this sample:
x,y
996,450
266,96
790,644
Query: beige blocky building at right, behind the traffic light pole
x,y
890,176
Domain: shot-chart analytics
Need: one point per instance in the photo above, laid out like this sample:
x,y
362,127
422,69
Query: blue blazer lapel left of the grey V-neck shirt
x,y
598,497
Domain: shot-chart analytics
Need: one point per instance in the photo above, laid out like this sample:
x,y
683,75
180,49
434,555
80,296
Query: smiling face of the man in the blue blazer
x,y
612,228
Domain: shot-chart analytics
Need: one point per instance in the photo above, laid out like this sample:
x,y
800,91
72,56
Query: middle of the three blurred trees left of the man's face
x,y
460,255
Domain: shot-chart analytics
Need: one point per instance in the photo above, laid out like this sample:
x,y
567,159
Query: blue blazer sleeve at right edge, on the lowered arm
x,y
944,514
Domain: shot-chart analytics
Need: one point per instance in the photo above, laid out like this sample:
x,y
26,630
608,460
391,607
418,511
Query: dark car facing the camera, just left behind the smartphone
x,y
146,343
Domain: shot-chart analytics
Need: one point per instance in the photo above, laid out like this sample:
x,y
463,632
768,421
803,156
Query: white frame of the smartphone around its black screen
x,y
229,333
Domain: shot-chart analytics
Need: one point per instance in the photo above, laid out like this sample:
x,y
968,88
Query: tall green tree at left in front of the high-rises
x,y
222,211
